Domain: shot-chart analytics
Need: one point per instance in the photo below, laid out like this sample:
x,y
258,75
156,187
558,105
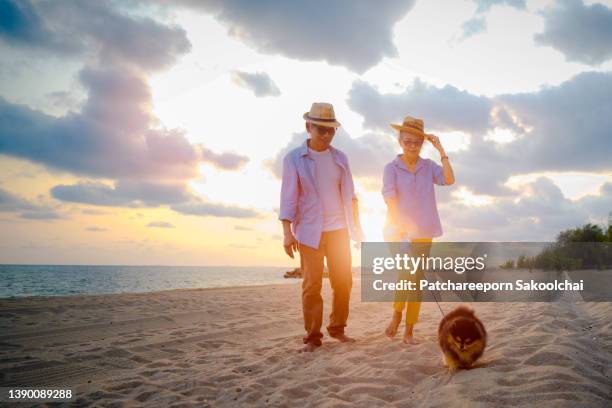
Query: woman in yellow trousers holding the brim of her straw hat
x,y
412,216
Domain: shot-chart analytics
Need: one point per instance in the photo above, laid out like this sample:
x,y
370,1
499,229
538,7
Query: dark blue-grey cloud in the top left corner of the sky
x,y
82,28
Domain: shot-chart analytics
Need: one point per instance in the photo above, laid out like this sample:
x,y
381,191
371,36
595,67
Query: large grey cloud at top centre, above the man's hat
x,y
356,34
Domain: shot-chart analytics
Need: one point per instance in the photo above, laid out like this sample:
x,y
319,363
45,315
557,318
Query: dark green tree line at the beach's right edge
x,y
587,247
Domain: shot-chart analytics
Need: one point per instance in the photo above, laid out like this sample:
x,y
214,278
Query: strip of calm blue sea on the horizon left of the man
x,y
62,280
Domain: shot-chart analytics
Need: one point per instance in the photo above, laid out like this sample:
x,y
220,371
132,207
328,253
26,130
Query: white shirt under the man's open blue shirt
x,y
328,177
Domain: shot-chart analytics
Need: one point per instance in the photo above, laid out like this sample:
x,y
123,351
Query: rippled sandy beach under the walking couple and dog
x,y
239,347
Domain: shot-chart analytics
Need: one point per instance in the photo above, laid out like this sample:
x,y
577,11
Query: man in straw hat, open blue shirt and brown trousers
x,y
318,205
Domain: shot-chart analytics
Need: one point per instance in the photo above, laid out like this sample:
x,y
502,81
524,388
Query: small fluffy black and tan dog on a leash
x,y
462,338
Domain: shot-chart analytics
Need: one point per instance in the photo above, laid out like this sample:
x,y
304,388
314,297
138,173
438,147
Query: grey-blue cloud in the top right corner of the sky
x,y
582,33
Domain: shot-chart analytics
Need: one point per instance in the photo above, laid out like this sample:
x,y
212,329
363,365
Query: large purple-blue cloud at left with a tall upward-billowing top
x,y
113,136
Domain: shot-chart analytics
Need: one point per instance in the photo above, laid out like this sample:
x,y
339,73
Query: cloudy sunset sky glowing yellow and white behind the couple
x,y
152,132
